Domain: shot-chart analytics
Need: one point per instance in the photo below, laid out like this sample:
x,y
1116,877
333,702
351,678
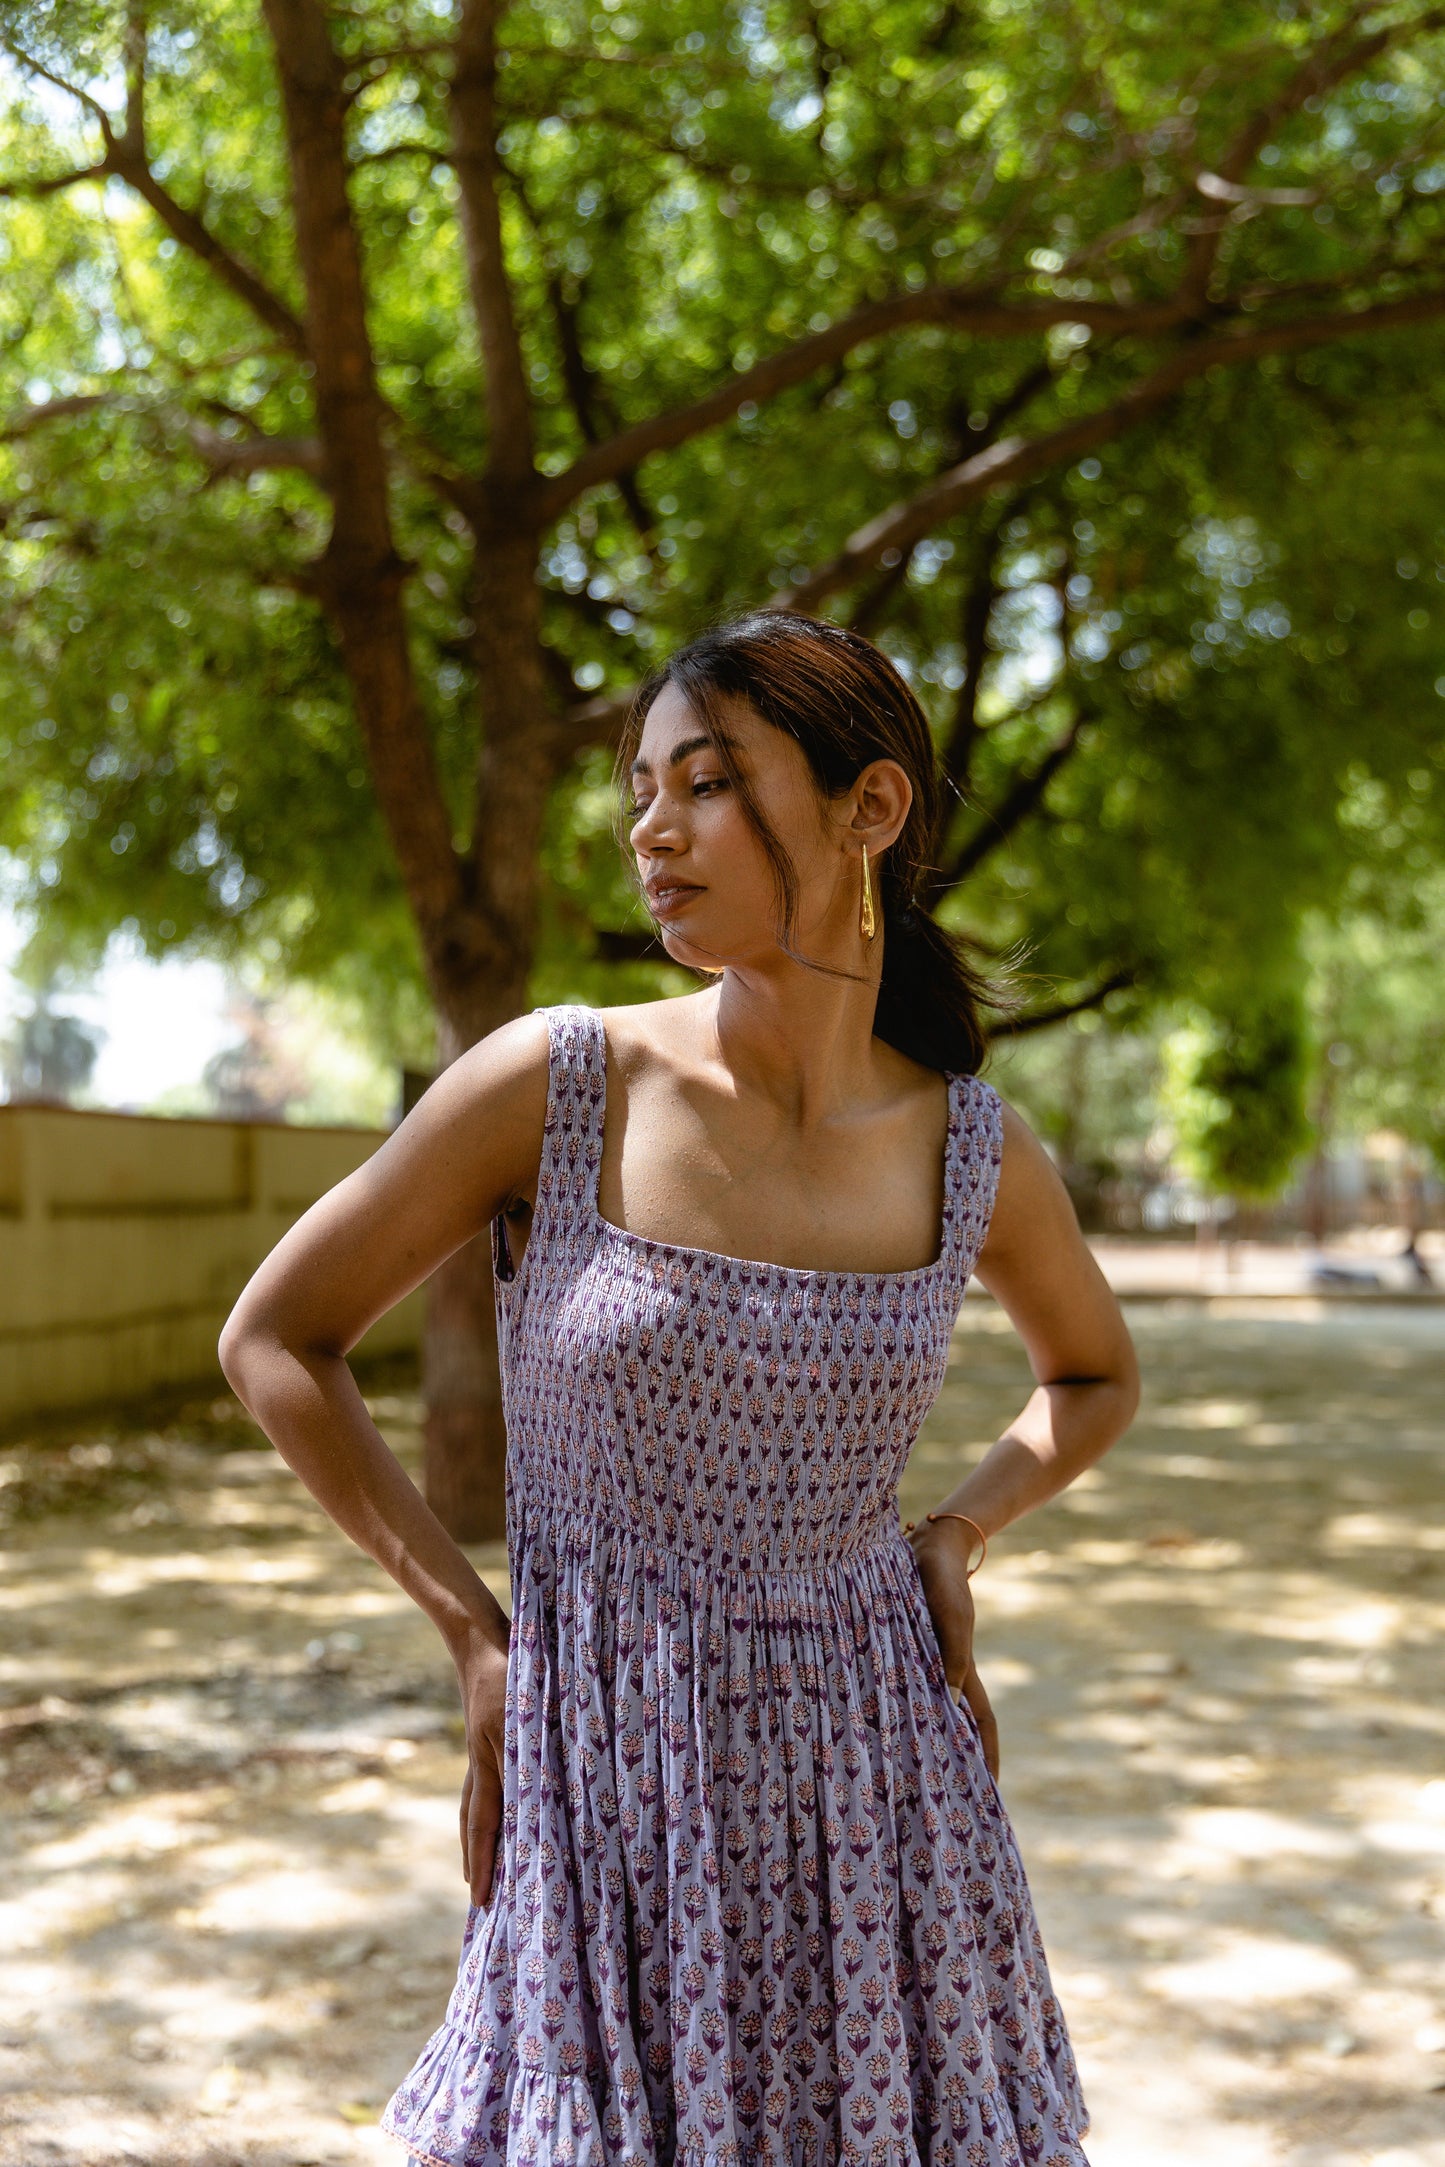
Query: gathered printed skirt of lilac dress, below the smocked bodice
x,y
757,1899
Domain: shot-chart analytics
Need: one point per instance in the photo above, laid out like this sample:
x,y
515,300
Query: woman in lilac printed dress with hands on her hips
x,y
744,1889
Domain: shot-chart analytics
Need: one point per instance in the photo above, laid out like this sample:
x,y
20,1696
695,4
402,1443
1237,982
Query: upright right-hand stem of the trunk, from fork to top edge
x,y
473,118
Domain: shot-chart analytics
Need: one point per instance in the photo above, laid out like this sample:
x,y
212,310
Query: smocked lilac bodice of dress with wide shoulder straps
x,y
746,1416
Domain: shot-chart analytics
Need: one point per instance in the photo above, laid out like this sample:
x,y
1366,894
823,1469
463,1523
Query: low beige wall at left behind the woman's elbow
x,y
125,1243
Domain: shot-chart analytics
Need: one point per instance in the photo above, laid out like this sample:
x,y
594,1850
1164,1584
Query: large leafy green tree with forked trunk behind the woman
x,y
391,385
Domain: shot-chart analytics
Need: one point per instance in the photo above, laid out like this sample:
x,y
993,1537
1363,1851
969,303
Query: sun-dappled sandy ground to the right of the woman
x,y
1216,1670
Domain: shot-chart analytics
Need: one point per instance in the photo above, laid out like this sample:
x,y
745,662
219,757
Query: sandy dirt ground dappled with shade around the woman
x,y
231,1763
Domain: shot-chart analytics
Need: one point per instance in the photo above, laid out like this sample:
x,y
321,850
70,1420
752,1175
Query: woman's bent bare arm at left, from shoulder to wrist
x,y
463,1154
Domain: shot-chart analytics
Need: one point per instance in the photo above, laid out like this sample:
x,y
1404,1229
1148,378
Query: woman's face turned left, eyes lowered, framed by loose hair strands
x,y
710,881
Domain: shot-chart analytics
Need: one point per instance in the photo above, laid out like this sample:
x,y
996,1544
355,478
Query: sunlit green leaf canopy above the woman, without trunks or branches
x,y
1238,606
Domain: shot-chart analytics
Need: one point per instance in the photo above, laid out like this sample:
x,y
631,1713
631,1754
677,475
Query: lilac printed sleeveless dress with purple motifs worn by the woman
x,y
757,1902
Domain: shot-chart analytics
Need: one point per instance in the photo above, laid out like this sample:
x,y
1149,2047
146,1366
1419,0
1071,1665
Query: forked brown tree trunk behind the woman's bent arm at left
x,y
476,916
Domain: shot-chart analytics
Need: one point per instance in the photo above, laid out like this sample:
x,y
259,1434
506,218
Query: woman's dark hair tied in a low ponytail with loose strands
x,y
846,705
